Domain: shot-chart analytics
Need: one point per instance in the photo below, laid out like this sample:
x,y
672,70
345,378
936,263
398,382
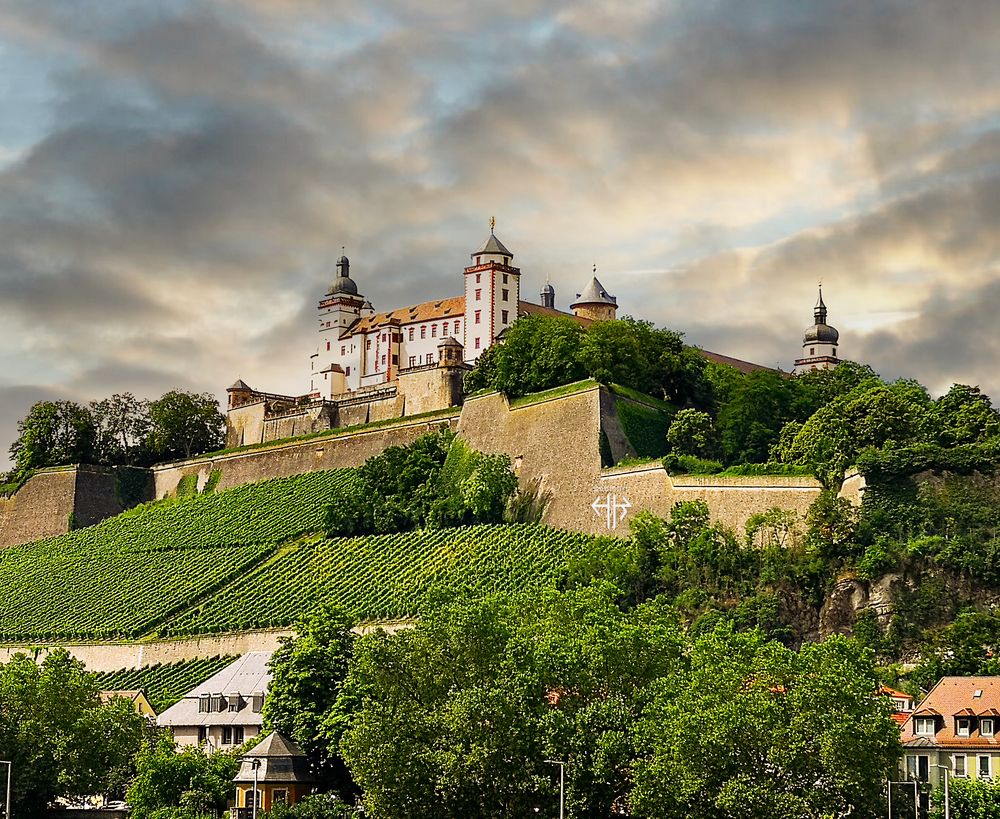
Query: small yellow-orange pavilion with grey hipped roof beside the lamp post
x,y
280,771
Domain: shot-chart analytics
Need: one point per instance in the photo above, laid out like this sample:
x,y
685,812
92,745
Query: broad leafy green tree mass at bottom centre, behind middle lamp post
x,y
458,715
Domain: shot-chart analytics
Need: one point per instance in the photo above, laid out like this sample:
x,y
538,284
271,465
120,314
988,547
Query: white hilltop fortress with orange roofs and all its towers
x,y
372,366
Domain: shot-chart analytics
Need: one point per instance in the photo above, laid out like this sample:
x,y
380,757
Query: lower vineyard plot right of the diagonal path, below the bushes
x,y
382,576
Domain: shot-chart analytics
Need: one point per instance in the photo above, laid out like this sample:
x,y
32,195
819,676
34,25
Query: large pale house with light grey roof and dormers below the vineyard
x,y
225,710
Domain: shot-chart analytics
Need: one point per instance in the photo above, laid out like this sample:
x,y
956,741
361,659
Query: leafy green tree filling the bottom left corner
x,y
61,739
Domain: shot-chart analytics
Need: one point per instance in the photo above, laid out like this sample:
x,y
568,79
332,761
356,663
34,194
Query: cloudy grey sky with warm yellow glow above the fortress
x,y
178,178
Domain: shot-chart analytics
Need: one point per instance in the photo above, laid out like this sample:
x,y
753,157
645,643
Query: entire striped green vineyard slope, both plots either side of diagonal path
x,y
250,557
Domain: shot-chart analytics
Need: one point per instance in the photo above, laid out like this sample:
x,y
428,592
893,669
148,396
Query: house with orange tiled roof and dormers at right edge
x,y
954,729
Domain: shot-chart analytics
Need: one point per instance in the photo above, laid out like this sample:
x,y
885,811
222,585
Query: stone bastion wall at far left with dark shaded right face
x,y
46,504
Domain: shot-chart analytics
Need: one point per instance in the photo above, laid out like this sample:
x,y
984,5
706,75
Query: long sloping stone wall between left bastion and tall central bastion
x,y
296,457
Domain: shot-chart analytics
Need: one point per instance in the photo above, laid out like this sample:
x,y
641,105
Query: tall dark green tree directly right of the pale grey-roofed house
x,y
304,699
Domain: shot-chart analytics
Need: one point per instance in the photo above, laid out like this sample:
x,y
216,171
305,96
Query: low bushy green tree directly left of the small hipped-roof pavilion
x,y
169,777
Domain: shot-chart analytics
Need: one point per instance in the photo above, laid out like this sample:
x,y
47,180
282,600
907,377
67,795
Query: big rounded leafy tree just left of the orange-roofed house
x,y
755,730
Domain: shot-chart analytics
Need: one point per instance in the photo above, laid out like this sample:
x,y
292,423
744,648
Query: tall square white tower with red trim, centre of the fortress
x,y
492,295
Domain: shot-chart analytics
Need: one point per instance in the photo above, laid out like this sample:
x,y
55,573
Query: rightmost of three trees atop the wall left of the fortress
x,y
185,423
